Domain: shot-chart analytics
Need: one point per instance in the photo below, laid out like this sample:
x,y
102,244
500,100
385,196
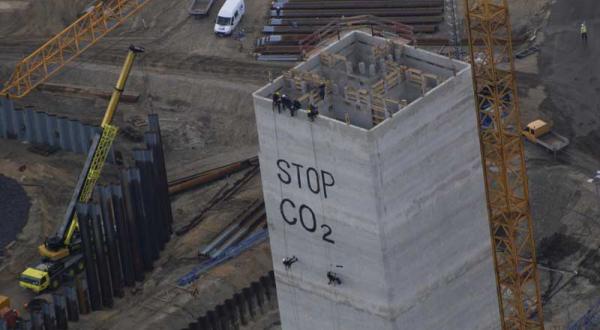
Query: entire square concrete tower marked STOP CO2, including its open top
x,y
378,205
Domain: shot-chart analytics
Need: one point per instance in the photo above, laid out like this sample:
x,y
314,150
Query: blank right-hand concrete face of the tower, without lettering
x,y
434,224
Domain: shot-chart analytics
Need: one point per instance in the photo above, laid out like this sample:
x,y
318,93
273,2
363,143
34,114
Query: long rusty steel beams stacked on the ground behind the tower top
x,y
291,21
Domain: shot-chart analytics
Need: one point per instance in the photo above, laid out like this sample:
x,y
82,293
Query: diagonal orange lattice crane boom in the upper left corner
x,y
86,31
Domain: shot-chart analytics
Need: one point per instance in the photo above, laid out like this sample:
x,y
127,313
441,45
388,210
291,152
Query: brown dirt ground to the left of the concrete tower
x,y
200,86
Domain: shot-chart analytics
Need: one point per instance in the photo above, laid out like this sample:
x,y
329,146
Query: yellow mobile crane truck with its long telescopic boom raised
x,y
62,253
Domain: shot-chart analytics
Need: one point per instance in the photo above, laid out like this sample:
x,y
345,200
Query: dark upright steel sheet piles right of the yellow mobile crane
x,y
128,225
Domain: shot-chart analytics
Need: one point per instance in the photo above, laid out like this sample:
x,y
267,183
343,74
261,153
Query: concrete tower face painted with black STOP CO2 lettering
x,y
348,210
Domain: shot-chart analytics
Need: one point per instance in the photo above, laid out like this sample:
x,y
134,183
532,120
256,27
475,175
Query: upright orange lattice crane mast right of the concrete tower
x,y
503,158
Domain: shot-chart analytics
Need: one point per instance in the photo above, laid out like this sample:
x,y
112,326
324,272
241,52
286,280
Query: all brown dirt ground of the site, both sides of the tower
x,y
201,85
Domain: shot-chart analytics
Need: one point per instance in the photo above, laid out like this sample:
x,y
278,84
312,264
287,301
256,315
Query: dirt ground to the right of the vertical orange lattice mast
x,y
566,207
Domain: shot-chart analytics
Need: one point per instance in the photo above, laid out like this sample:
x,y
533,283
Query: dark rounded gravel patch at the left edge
x,y
14,210
